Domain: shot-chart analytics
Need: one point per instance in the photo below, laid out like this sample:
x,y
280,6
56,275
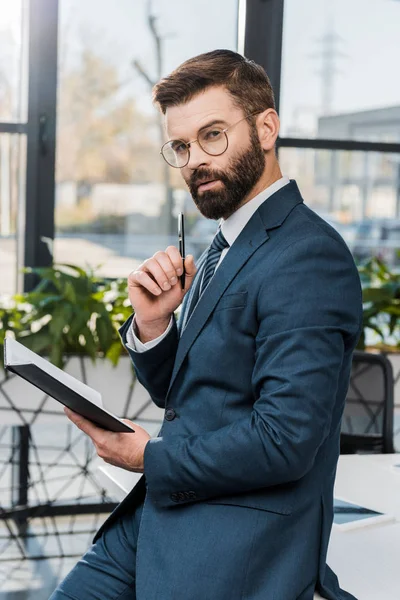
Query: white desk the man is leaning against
x,y
366,560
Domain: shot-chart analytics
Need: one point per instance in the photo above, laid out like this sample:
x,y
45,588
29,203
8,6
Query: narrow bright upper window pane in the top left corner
x,y
13,61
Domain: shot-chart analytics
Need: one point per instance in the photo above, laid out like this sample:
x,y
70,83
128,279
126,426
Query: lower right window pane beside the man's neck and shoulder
x,y
356,192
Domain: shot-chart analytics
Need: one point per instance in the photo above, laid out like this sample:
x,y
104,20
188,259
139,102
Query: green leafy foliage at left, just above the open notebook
x,y
70,311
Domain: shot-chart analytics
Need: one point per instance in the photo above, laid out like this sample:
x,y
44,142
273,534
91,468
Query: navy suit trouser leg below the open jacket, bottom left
x,y
107,569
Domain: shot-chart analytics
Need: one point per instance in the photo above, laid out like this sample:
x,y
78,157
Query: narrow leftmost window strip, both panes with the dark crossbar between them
x,y
13,114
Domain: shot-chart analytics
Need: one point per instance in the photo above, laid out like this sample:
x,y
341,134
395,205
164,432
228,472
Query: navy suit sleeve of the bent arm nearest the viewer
x,y
309,311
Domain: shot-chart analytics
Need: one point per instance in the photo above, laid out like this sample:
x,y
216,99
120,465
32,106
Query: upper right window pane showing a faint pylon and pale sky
x,y
338,74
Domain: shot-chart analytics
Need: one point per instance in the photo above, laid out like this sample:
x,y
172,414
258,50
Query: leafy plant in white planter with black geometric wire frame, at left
x,y
71,317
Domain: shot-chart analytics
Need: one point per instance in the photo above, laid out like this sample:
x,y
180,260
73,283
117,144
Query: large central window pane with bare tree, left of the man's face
x,y
116,200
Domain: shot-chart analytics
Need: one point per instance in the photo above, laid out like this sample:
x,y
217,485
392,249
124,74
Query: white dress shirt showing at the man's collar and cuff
x,y
231,228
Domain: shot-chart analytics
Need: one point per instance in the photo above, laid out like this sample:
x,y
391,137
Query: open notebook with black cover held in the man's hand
x,y
60,385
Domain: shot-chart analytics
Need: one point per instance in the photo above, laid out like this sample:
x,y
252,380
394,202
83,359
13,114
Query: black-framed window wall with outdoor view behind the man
x,y
108,199
